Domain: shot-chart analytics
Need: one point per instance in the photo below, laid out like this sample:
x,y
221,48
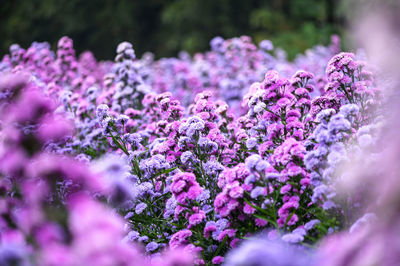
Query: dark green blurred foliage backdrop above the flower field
x,y
166,27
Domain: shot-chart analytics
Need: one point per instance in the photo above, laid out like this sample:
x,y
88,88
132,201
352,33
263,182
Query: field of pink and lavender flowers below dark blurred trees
x,y
234,156
